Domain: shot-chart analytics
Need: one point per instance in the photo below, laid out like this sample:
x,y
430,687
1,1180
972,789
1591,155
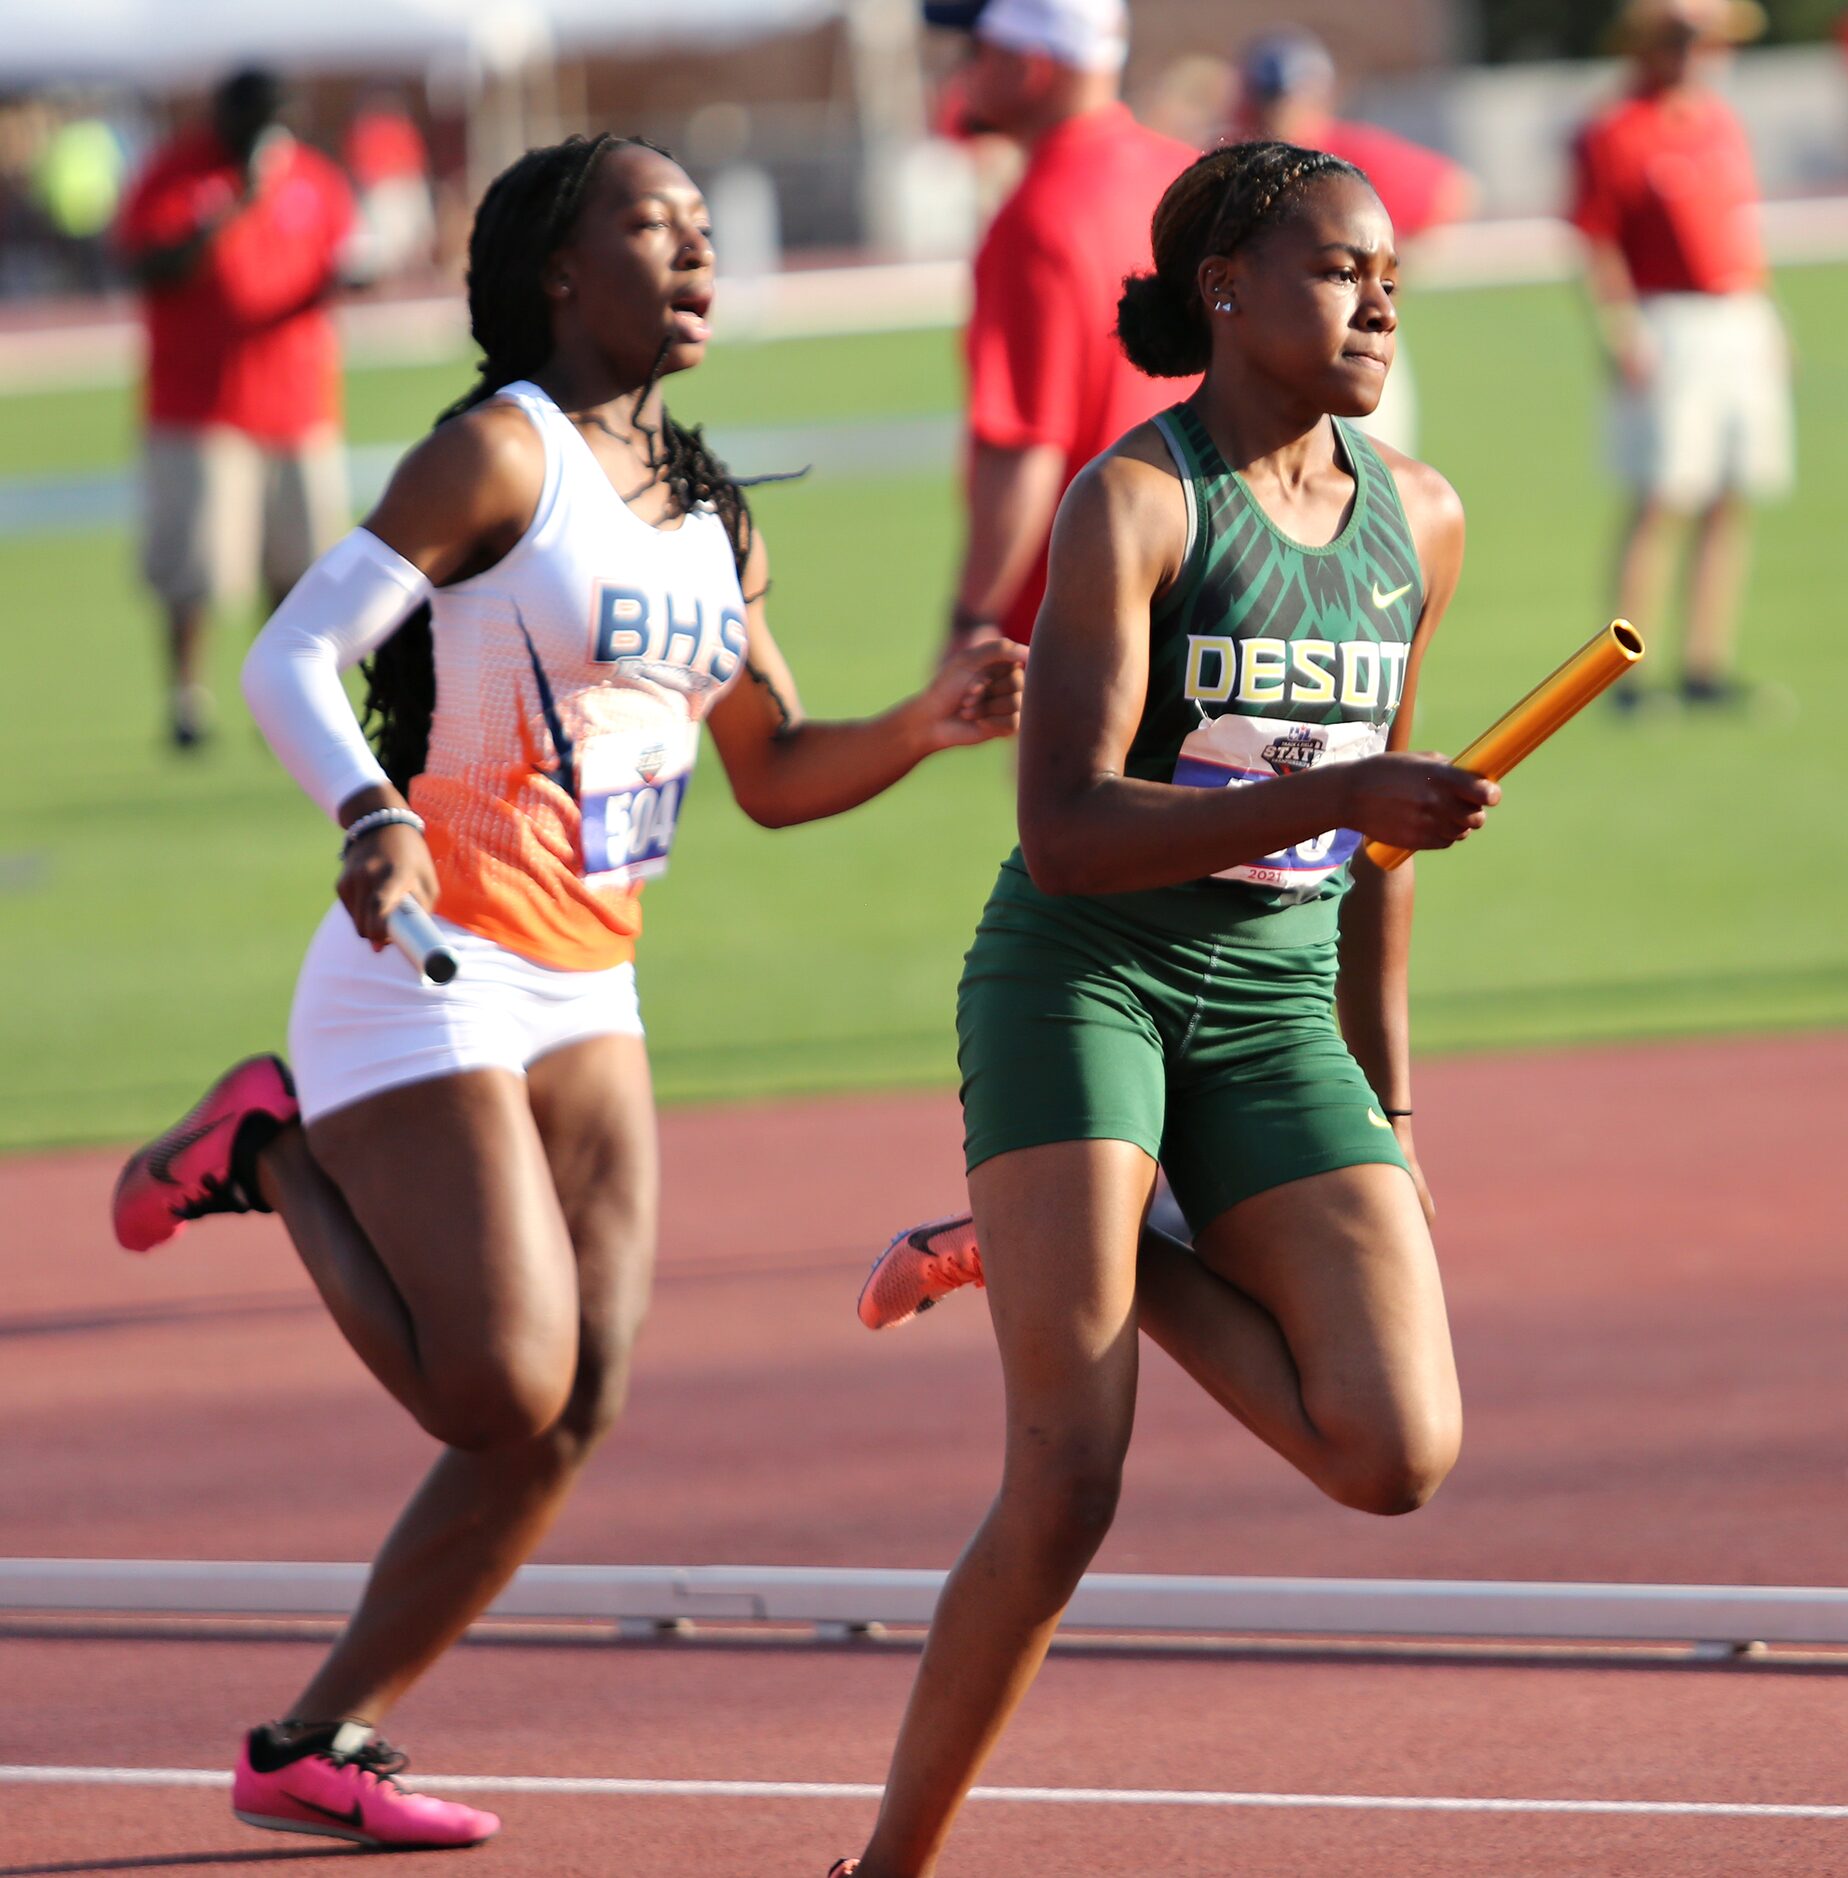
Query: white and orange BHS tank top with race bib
x,y
570,688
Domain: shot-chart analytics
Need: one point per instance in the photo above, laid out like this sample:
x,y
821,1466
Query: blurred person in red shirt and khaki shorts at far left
x,y
234,236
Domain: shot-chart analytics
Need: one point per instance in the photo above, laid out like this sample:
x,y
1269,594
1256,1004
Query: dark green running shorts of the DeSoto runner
x,y
1165,1021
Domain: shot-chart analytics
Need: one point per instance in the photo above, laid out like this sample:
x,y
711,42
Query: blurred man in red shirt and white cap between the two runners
x,y
1049,384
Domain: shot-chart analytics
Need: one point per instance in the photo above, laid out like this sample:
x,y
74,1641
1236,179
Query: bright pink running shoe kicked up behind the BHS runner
x,y
204,1163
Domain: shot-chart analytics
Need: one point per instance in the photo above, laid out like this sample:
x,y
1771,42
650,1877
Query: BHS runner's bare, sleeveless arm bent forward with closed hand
x,y
790,769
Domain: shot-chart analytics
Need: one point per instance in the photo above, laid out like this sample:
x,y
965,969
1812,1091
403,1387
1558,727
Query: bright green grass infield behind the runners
x,y
1644,876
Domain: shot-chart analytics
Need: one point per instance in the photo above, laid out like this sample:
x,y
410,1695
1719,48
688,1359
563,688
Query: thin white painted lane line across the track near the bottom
x,y
1060,1796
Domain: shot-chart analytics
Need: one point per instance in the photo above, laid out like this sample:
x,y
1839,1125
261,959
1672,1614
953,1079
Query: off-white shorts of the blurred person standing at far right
x,y
1716,416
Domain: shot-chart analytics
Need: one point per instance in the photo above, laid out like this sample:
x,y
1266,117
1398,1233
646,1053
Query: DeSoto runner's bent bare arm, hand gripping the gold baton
x,y
1085,825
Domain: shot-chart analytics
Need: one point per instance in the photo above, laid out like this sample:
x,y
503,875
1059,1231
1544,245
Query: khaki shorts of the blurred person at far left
x,y
221,510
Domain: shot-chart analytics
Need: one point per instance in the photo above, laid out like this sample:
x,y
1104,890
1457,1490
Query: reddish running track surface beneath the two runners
x,y
1644,1263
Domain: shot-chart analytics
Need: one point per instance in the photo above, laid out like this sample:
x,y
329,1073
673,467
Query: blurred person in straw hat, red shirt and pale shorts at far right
x,y
1667,198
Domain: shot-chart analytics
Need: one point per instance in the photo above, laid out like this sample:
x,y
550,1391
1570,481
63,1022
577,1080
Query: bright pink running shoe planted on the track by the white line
x,y
341,1783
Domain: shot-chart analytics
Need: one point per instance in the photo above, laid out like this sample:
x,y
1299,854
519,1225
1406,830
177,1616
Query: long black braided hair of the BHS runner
x,y
525,219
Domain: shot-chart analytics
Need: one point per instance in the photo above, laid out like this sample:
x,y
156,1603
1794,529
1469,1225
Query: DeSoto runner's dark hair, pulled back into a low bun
x,y
1216,206
